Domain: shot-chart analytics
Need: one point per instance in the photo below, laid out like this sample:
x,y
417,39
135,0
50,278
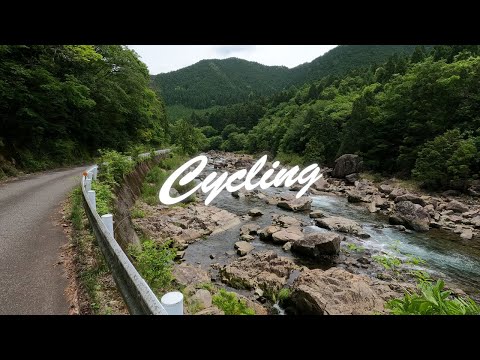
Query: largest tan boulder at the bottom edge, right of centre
x,y
338,292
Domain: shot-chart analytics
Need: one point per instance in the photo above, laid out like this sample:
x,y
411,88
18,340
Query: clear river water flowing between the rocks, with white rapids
x,y
444,254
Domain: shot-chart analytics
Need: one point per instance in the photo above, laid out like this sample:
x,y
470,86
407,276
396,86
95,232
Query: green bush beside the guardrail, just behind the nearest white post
x,y
154,261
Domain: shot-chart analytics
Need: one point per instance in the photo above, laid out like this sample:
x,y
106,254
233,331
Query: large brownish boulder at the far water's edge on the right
x,y
411,215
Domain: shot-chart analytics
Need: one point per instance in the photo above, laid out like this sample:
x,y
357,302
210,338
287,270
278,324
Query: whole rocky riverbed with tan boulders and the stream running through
x,y
346,248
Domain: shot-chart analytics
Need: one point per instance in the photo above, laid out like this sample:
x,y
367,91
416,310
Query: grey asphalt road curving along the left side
x,y
32,281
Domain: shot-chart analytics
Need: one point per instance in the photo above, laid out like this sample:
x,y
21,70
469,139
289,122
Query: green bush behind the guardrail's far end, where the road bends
x,y
114,166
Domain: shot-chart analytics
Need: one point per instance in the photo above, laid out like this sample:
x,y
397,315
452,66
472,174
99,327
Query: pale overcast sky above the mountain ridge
x,y
165,58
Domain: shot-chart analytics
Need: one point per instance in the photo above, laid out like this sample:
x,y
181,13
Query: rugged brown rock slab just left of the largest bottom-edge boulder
x,y
265,270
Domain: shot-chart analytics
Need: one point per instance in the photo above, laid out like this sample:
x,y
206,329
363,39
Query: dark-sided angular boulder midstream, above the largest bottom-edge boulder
x,y
318,244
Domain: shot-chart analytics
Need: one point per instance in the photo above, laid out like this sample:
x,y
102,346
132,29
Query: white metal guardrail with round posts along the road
x,y
136,293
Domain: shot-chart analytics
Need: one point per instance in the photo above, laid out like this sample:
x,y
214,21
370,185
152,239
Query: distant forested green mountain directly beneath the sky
x,y
223,82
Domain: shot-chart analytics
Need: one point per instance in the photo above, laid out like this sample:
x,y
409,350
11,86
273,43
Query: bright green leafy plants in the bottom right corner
x,y
433,300
